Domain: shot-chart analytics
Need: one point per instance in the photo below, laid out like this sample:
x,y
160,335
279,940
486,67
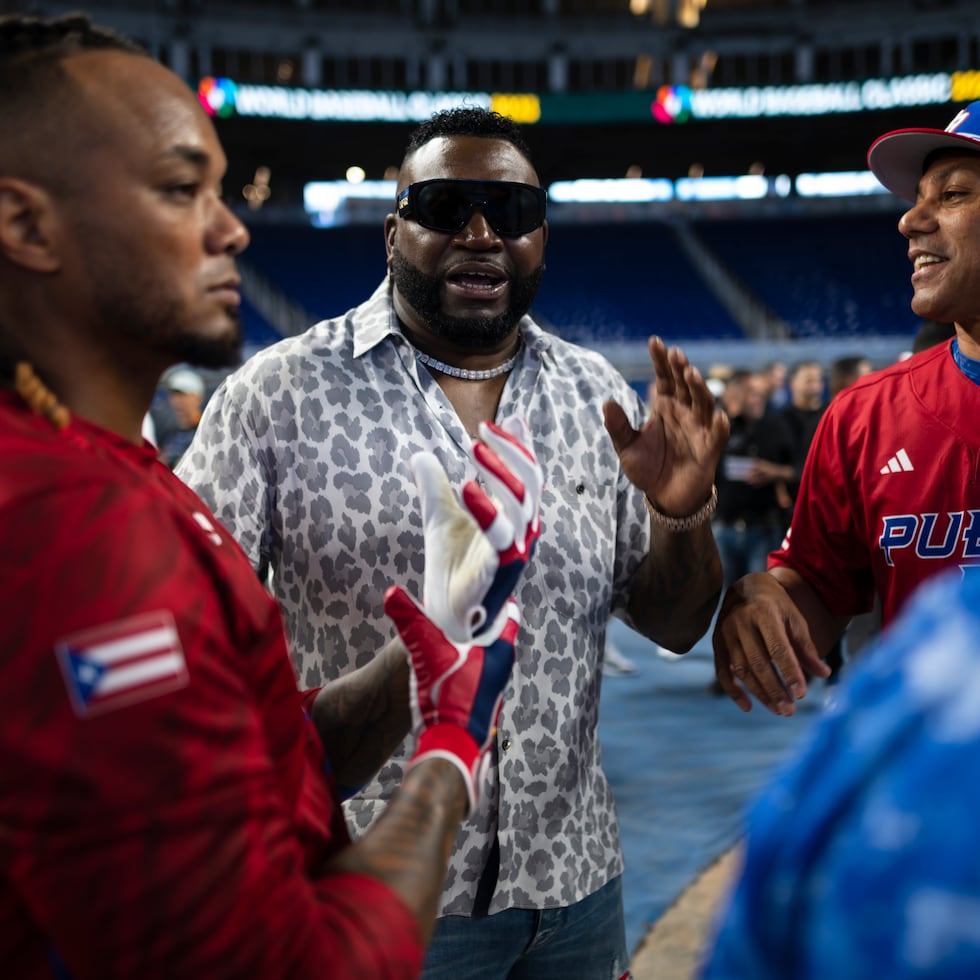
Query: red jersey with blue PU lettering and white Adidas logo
x,y
891,487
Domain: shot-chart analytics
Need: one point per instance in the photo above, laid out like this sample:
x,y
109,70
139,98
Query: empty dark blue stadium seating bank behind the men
x,y
608,283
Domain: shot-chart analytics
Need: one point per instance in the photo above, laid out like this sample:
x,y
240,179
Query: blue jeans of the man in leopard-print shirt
x,y
585,941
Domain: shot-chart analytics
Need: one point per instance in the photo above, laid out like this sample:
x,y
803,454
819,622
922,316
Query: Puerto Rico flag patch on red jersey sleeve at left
x,y
122,663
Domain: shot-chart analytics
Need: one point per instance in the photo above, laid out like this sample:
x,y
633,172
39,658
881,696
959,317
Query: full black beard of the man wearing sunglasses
x,y
424,294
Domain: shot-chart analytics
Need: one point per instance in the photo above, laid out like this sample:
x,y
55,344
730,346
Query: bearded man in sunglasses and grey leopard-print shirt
x,y
303,453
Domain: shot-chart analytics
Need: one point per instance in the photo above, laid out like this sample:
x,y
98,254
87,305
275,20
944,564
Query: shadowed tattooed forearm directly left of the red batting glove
x,y
363,716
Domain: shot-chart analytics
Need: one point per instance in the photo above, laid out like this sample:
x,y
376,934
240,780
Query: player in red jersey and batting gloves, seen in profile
x,y
169,801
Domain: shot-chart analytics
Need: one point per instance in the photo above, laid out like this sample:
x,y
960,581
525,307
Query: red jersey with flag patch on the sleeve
x,y
164,806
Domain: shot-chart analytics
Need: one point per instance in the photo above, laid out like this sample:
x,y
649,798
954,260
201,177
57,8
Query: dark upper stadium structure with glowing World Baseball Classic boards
x,y
607,88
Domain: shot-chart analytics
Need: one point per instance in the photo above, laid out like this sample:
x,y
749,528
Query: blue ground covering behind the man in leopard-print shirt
x,y
683,765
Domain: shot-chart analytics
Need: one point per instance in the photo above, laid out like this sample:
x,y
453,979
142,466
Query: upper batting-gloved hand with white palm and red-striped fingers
x,y
475,554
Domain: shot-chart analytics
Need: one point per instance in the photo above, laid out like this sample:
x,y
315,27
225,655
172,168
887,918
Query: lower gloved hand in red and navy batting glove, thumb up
x,y
455,688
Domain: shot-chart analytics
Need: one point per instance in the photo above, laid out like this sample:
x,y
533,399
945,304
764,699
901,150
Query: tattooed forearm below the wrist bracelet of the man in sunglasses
x,y
675,591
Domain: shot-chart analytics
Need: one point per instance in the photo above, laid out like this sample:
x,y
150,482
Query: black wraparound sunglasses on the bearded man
x,y
511,209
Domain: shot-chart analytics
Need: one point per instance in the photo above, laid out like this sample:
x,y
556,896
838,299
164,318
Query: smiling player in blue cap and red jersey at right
x,y
889,494
